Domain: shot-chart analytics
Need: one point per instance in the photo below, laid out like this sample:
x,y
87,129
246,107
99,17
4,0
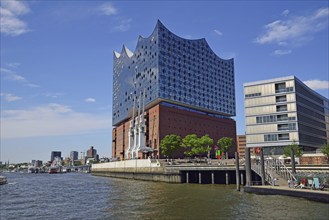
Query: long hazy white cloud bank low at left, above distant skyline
x,y
50,120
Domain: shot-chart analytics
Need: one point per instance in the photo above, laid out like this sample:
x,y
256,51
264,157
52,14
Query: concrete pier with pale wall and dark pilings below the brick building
x,y
198,173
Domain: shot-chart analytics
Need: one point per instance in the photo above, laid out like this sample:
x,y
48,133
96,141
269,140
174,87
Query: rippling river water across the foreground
x,y
83,196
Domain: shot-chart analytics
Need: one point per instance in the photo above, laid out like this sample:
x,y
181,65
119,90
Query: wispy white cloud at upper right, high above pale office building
x,y
296,28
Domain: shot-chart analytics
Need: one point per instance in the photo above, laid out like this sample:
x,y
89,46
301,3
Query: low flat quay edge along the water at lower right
x,y
314,195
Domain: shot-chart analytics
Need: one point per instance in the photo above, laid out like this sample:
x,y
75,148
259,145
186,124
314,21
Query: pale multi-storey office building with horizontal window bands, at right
x,y
283,111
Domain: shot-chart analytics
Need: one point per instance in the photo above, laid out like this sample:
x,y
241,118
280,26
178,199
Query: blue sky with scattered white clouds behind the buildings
x,y
57,60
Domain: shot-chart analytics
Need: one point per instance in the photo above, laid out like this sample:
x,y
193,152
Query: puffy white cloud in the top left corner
x,y
10,24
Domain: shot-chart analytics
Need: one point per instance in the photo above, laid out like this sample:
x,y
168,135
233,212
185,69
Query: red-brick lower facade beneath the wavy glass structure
x,y
161,120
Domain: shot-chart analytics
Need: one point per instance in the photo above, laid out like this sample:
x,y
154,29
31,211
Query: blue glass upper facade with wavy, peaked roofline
x,y
169,68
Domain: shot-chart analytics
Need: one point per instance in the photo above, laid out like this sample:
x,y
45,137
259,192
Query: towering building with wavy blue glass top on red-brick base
x,y
174,86
